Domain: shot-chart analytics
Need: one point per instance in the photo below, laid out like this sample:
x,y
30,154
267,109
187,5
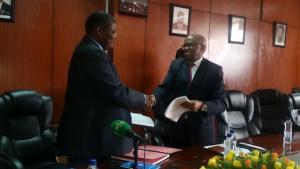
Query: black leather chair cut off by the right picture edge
x,y
295,110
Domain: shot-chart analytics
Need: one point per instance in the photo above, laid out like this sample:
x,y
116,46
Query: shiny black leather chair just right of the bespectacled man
x,y
239,114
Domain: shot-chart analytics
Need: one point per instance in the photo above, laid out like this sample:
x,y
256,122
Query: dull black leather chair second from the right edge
x,y
271,108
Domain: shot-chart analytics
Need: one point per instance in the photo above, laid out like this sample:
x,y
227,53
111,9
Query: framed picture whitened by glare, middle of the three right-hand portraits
x,y
236,29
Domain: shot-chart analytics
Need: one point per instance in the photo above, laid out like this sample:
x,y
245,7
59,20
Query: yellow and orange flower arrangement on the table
x,y
253,160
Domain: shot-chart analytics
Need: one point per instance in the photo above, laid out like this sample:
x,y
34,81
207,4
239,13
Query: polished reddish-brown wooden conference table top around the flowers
x,y
195,157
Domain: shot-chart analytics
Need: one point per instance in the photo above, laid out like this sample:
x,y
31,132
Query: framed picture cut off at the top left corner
x,y
7,10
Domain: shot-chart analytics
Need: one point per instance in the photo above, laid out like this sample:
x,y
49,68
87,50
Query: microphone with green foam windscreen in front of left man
x,y
121,128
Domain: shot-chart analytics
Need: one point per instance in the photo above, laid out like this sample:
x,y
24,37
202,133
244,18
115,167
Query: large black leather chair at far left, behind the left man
x,y
24,133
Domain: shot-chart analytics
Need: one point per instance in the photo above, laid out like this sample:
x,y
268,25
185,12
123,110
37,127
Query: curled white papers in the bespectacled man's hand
x,y
175,110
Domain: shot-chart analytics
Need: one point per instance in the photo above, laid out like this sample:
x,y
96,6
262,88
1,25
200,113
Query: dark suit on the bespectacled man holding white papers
x,y
207,86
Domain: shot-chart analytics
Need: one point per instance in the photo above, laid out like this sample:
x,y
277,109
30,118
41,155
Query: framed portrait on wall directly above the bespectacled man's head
x,y
180,16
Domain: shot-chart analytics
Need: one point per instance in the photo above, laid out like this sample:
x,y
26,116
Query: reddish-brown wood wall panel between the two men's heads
x,y
129,49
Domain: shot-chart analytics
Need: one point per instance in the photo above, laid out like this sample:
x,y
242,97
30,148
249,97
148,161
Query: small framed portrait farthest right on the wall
x,y
279,34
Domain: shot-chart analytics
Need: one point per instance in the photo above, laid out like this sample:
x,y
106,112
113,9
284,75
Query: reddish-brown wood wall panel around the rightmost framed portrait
x,y
277,66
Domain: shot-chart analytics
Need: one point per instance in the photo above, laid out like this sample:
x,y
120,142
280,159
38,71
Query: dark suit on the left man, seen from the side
x,y
95,97
